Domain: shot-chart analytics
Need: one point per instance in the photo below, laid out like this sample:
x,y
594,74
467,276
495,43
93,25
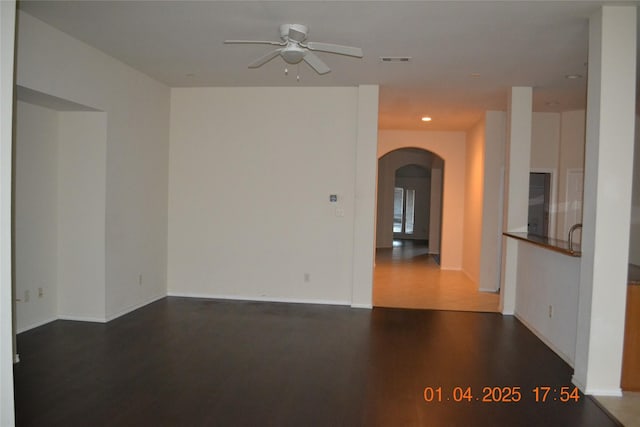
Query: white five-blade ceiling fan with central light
x,y
294,48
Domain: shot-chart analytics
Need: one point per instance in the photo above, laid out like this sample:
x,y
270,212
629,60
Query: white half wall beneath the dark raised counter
x,y
547,297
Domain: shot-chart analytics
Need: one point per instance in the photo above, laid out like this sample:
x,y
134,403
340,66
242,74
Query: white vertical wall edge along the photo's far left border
x,y
7,35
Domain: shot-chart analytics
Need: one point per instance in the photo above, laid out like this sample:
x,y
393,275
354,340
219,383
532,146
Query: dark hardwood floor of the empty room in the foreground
x,y
192,362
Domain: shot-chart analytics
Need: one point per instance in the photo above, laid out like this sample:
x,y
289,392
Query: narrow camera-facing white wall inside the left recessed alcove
x,y
81,200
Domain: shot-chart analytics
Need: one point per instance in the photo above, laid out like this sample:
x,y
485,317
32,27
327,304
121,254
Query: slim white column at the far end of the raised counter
x,y
518,151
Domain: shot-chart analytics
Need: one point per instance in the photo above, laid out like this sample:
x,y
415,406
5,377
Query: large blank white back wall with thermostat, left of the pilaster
x,y
249,210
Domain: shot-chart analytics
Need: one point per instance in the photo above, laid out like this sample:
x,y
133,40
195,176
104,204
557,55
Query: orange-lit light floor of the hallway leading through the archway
x,y
406,276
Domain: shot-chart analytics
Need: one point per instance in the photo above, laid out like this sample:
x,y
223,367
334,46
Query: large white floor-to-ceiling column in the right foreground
x,y
607,199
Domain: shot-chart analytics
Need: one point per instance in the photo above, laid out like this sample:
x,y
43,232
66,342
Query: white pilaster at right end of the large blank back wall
x,y
365,197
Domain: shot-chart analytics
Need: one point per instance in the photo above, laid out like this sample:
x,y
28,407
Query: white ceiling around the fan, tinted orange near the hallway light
x,y
504,43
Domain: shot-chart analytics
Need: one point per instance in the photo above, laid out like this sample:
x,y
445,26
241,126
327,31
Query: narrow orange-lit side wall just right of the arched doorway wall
x,y
473,198
